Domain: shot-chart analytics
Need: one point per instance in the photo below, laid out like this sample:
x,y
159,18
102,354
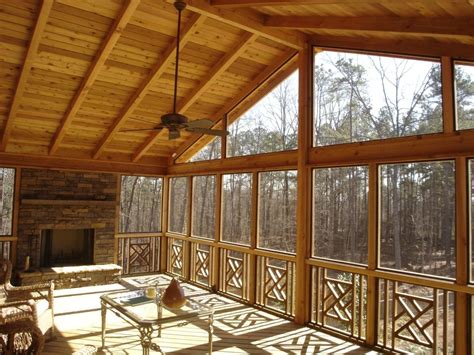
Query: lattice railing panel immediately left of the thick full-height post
x,y
276,286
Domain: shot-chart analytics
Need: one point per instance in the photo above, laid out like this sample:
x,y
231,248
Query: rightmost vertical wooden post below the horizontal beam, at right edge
x,y
461,319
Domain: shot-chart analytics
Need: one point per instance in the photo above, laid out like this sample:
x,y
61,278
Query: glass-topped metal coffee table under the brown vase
x,y
149,315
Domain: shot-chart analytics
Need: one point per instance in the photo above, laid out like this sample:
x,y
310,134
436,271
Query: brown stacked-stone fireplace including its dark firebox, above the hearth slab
x,y
57,204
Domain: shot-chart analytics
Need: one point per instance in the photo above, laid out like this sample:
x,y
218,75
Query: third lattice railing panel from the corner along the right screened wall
x,y
234,271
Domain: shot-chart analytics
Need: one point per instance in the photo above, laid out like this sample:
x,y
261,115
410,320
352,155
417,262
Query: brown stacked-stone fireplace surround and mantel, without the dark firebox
x,y
53,199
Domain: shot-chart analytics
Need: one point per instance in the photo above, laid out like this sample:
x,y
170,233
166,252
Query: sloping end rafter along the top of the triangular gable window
x,y
183,153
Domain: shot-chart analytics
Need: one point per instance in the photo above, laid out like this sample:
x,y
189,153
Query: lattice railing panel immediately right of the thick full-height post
x,y
339,301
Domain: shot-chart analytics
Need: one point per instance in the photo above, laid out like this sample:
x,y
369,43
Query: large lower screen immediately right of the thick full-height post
x,y
340,213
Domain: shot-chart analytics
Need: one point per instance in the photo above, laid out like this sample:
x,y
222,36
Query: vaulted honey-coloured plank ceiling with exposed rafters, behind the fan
x,y
76,73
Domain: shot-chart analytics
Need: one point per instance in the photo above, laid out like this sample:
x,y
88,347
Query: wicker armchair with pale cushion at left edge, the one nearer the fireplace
x,y
35,302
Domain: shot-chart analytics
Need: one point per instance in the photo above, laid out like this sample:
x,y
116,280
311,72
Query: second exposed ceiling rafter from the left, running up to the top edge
x,y
102,54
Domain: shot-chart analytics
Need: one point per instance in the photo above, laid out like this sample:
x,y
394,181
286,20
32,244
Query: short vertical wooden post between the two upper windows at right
x,y
447,84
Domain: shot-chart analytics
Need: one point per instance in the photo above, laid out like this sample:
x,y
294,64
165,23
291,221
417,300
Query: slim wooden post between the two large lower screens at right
x,y
371,323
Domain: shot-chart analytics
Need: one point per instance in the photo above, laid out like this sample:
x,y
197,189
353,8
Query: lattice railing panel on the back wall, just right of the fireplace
x,y
139,254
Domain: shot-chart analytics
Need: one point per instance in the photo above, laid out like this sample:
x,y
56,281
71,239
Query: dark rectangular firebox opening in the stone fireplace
x,y
67,247
